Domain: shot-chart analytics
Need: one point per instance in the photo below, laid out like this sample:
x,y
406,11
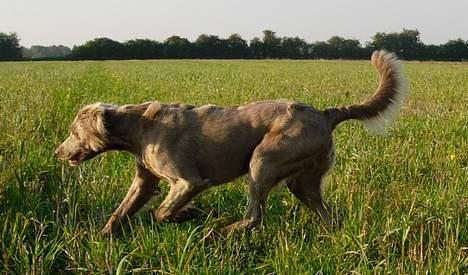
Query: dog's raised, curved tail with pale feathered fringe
x,y
378,111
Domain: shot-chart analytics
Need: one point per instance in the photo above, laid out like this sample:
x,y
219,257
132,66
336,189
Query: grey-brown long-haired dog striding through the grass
x,y
193,148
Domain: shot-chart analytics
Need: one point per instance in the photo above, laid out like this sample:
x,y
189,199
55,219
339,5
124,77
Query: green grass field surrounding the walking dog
x,y
403,197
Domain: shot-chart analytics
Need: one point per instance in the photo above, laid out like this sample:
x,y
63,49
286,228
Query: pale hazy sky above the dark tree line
x,y
54,22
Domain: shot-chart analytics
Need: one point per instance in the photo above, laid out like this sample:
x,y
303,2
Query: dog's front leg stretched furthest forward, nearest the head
x,y
143,188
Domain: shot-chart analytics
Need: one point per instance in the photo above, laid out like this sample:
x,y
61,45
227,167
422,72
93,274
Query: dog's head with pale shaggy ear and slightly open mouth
x,y
88,135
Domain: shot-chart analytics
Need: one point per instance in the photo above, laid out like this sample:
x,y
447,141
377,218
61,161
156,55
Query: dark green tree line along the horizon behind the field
x,y
406,44
